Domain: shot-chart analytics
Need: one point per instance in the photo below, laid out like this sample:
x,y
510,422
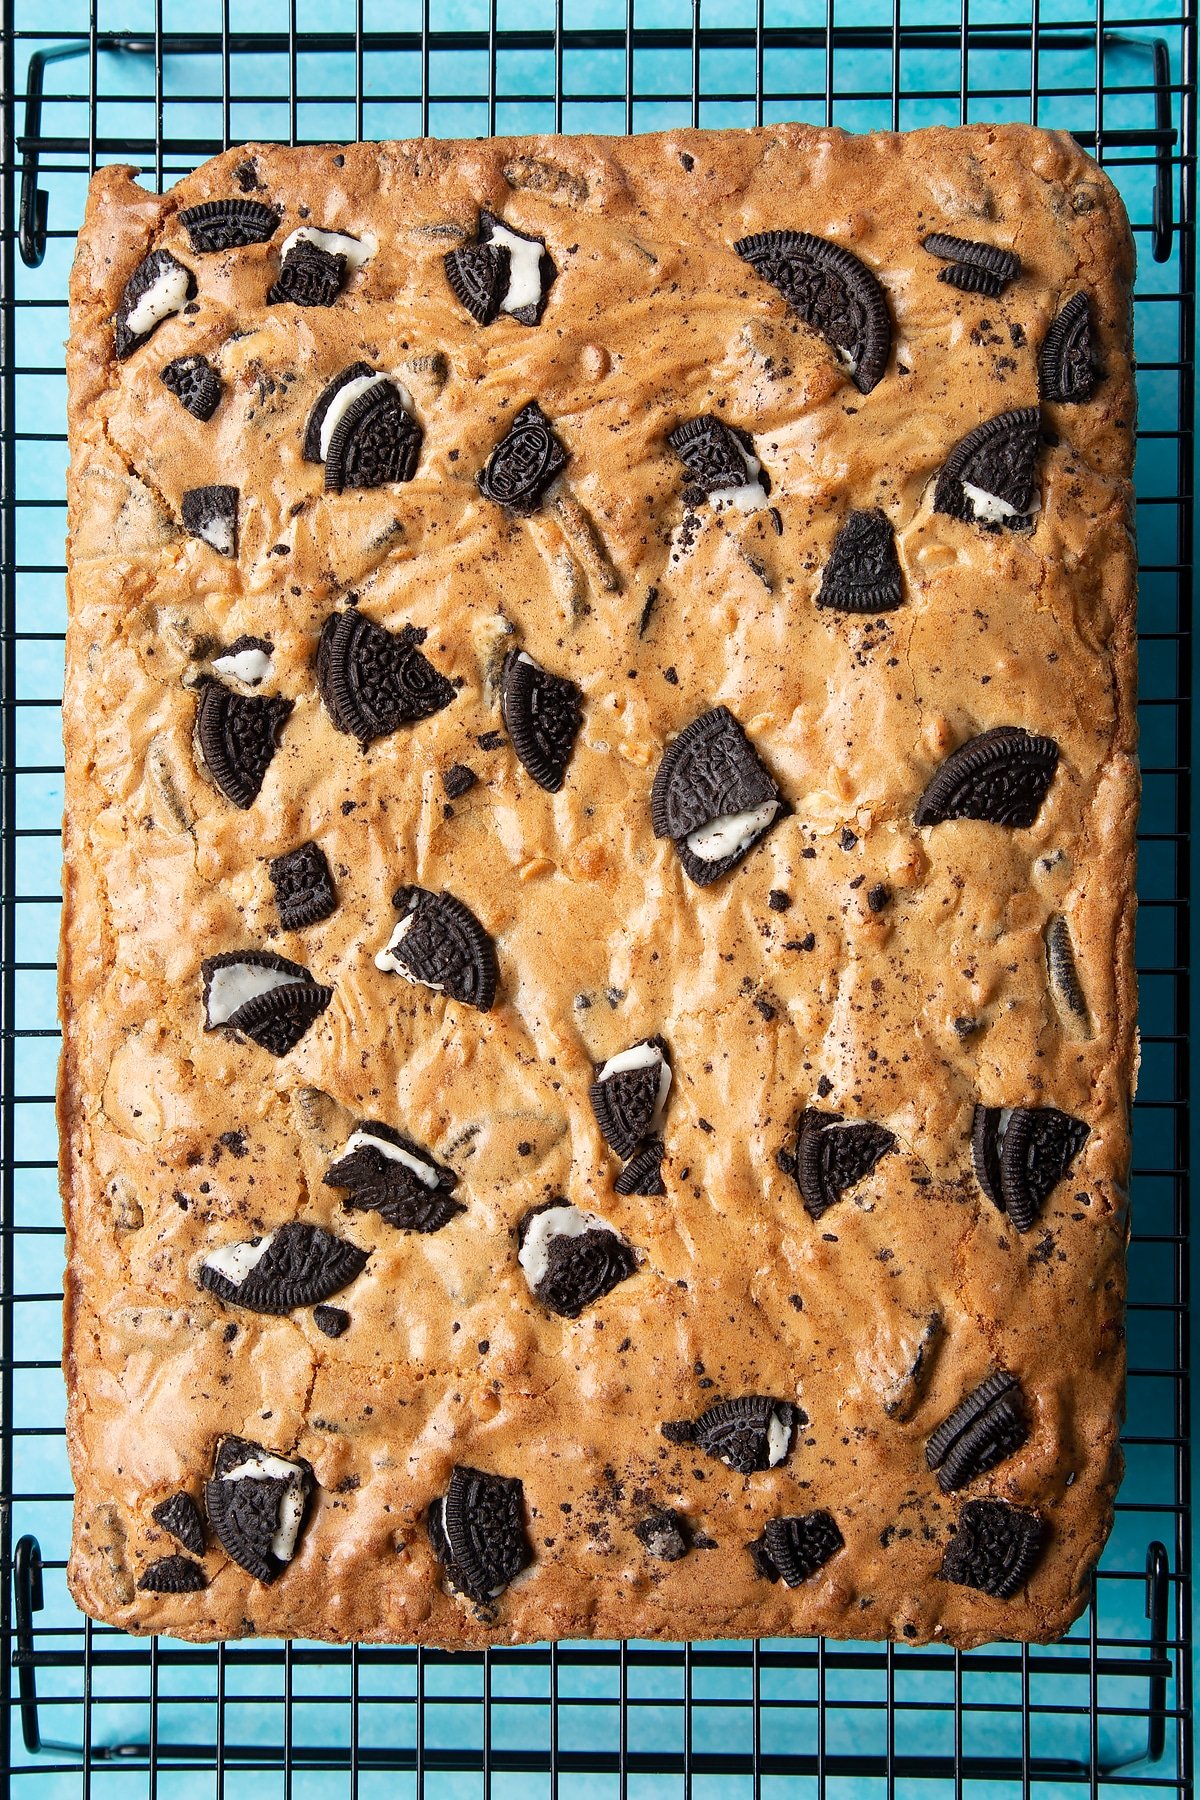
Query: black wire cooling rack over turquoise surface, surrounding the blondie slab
x,y
165,85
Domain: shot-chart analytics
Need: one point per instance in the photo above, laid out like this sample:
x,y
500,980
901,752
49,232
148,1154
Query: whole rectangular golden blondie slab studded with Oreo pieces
x,y
596,982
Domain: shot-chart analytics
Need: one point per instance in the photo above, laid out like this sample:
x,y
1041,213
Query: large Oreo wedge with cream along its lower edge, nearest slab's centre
x,y
713,796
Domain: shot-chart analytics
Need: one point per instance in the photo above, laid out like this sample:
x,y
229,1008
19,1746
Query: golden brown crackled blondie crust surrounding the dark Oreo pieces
x,y
906,1016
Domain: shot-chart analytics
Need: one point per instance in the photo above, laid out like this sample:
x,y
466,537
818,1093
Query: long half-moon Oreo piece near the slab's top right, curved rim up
x,y
832,292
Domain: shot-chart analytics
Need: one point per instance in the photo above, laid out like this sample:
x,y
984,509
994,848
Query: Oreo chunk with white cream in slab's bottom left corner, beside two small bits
x,y
256,1506
